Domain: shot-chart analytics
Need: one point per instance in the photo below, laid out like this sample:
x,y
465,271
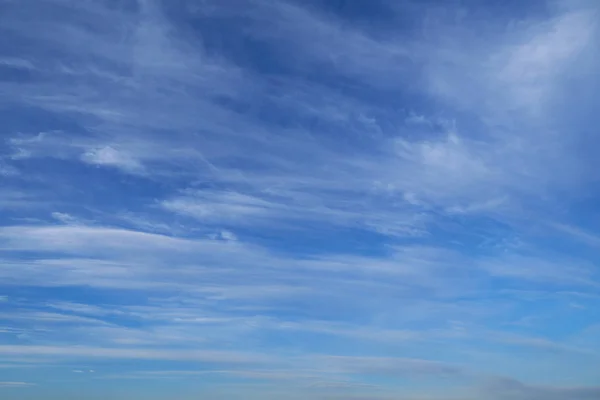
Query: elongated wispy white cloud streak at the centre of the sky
x,y
284,208
